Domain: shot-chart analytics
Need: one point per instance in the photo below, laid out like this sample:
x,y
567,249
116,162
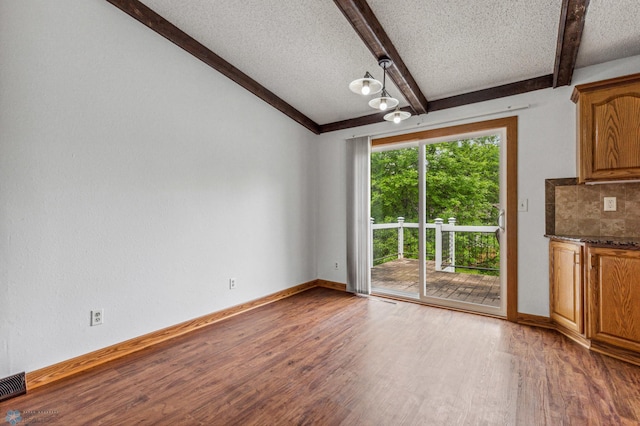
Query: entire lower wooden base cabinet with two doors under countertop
x,y
594,296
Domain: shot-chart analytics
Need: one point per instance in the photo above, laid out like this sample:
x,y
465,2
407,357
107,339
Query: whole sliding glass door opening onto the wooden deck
x,y
438,224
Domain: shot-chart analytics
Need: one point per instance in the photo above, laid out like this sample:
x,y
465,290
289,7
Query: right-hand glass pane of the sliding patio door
x,y
462,208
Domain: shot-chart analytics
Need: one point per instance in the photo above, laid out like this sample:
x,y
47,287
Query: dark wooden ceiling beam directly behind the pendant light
x,y
363,20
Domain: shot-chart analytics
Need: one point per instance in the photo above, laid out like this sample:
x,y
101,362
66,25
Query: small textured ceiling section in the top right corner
x,y
611,31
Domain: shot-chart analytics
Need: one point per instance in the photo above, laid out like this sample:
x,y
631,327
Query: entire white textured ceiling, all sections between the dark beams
x,y
306,52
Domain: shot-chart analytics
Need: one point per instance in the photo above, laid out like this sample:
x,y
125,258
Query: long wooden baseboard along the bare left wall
x,y
93,359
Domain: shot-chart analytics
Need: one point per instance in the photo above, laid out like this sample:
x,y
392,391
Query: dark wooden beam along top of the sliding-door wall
x,y
524,86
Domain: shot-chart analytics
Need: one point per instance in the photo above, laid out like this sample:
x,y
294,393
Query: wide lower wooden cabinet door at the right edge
x,y
614,297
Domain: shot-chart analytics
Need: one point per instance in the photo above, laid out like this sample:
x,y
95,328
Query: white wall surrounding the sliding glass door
x,y
546,149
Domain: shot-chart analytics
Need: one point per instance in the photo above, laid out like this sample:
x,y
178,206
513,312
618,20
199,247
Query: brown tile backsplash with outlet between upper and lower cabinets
x,y
578,209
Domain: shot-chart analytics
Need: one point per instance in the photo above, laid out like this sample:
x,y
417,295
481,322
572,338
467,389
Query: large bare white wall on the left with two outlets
x,y
136,179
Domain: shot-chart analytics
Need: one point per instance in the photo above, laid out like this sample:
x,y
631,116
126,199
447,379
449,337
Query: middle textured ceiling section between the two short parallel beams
x,y
454,47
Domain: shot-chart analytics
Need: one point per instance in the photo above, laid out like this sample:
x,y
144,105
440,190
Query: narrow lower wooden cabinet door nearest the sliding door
x,y
566,295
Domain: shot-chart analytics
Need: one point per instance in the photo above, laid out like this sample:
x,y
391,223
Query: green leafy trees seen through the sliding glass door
x,y
462,181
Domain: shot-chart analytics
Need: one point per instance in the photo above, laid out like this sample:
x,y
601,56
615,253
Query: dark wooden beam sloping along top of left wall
x,y
160,25
